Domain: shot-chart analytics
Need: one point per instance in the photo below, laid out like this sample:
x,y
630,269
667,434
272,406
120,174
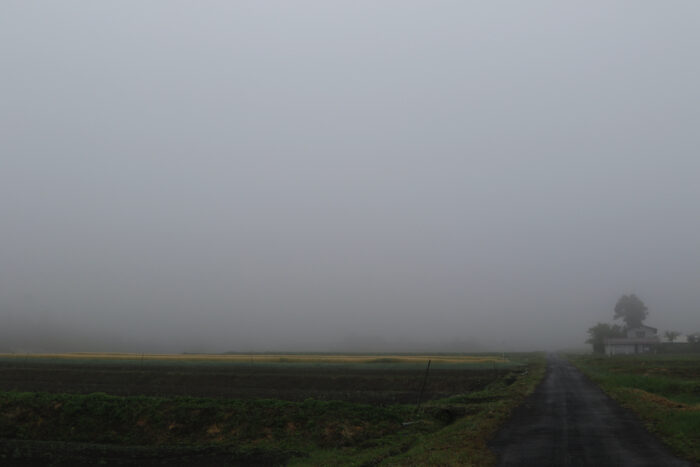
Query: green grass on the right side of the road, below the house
x,y
663,390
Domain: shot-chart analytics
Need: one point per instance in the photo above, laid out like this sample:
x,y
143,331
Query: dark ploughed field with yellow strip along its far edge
x,y
374,379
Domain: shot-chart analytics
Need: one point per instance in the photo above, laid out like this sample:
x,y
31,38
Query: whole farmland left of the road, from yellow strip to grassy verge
x,y
267,409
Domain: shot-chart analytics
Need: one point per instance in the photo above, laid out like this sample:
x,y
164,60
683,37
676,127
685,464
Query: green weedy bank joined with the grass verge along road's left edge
x,y
452,430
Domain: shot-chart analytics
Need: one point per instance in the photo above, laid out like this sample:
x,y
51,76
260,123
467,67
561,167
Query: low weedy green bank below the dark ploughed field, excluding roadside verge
x,y
101,418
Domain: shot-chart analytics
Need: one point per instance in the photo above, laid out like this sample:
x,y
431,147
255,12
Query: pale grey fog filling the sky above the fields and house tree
x,y
357,175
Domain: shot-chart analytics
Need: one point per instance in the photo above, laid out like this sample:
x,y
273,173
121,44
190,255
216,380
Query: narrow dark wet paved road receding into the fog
x,y
569,421
